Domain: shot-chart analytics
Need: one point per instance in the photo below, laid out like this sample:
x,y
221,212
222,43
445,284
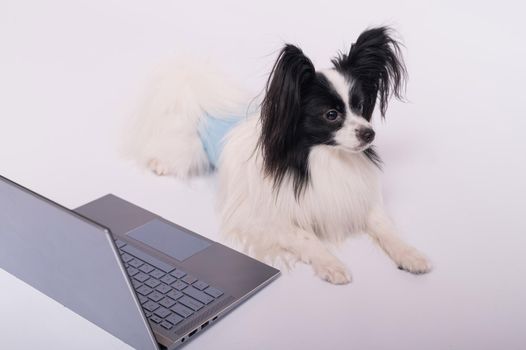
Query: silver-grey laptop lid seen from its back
x,y
70,259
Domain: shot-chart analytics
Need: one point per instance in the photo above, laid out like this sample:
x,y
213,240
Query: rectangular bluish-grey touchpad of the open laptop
x,y
169,239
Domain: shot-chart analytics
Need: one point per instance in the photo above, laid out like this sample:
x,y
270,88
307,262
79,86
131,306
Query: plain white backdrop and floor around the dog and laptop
x,y
70,73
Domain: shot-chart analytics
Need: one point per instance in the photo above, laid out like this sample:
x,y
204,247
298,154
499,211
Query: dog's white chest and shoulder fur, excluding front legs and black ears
x,y
342,189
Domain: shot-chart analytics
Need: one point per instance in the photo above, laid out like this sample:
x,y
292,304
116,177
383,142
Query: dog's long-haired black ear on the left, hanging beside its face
x,y
281,108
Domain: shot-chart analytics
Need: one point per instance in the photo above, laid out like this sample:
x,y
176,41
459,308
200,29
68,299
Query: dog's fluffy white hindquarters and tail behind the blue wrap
x,y
165,136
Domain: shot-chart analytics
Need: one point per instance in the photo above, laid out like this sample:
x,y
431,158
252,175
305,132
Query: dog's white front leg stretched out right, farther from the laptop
x,y
408,258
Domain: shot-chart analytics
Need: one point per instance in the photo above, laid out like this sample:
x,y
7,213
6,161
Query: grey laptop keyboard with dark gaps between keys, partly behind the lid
x,y
167,295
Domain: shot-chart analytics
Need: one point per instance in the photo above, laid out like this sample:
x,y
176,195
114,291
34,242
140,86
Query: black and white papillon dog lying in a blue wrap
x,y
299,171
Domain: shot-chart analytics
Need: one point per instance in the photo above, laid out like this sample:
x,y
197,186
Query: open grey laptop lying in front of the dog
x,y
144,279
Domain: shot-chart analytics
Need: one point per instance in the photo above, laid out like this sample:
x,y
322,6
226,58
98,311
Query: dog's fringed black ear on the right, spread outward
x,y
376,64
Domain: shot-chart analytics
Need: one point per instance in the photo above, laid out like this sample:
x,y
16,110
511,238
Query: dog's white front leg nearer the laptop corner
x,y
308,248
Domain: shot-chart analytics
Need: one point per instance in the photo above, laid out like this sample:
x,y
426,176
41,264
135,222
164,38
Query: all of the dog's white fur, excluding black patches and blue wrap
x,y
344,194
